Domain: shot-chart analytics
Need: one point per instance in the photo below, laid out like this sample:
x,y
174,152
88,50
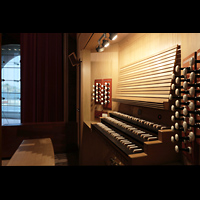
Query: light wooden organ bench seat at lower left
x,y
34,152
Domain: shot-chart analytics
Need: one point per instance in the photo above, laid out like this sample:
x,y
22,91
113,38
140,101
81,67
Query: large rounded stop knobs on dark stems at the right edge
x,y
181,103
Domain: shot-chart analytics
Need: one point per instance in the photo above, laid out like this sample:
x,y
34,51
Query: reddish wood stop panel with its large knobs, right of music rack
x,y
186,118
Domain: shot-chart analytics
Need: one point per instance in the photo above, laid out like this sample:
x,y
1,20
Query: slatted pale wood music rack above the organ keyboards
x,y
145,78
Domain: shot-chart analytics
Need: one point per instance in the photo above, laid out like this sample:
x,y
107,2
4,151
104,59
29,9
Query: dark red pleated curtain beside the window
x,y
41,77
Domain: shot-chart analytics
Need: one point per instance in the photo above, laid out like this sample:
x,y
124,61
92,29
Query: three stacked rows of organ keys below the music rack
x,y
128,133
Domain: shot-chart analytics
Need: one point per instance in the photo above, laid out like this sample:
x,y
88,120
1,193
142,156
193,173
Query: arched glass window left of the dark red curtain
x,y
10,84
